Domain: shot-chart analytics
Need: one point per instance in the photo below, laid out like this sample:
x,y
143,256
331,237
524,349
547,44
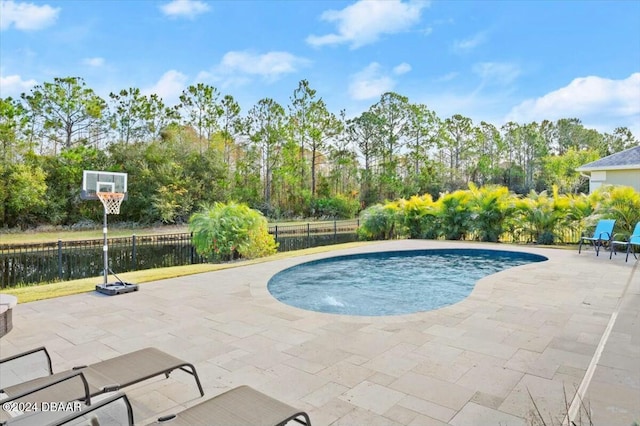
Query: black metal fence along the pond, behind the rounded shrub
x,y
69,260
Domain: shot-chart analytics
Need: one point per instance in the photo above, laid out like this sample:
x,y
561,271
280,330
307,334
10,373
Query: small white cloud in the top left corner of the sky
x,y
26,16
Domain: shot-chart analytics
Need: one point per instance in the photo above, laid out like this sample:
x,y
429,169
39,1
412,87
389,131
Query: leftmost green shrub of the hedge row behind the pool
x,y
380,222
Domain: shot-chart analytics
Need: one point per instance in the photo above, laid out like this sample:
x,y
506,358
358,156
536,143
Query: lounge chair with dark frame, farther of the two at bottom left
x,y
106,376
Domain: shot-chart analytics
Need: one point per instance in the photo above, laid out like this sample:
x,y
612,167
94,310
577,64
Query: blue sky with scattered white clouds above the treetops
x,y
493,61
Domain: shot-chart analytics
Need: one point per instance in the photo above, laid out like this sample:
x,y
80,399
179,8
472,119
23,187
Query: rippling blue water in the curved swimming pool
x,y
390,283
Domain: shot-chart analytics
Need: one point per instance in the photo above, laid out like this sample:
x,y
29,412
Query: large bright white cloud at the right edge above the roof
x,y
598,102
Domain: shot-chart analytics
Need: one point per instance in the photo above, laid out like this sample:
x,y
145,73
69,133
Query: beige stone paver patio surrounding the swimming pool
x,y
544,329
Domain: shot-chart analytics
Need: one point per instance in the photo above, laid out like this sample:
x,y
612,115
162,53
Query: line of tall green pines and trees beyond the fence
x,y
295,160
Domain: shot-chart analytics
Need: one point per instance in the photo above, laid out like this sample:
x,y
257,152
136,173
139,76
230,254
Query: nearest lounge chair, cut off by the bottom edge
x,y
242,406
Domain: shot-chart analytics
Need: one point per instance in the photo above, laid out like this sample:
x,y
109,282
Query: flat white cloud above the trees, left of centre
x,y
269,65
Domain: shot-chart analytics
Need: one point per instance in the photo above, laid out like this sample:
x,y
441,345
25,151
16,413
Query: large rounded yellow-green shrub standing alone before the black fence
x,y
229,231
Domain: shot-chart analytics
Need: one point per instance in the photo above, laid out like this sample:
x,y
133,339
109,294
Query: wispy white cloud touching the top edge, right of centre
x,y
366,20
